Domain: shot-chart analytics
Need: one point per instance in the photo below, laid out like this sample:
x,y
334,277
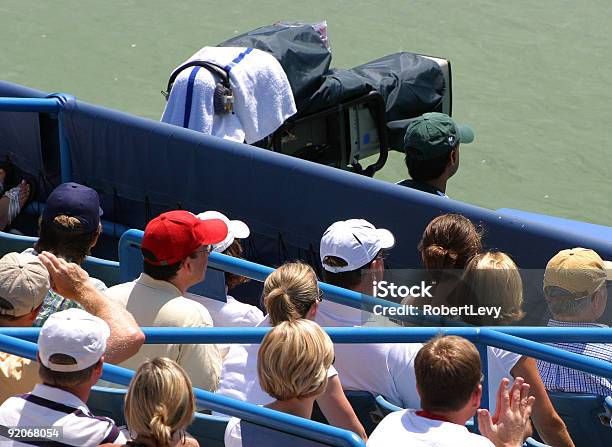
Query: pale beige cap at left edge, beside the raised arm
x,y
24,283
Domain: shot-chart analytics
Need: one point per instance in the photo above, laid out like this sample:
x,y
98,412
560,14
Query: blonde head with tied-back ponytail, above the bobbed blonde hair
x,y
290,292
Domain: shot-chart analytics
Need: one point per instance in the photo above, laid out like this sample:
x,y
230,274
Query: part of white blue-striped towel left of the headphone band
x,y
202,117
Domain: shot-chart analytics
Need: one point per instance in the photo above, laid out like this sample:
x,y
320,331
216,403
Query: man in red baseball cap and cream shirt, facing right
x,y
175,249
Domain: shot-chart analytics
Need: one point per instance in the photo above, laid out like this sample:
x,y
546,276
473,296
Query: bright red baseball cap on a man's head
x,y
172,236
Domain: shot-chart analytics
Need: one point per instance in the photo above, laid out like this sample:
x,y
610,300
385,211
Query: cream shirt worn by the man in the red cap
x,y
160,304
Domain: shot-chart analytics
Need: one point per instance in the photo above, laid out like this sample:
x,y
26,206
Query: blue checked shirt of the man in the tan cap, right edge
x,y
561,378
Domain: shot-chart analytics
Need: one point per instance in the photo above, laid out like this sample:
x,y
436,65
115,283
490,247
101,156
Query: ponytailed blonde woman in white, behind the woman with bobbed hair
x,y
291,293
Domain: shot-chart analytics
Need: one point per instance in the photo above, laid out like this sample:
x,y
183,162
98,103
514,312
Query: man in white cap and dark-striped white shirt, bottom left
x,y
71,355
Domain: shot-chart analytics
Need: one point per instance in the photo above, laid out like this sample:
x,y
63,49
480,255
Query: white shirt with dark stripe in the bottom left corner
x,y
47,406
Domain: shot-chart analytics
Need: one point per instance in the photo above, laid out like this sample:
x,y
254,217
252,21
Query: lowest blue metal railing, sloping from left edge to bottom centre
x,y
253,413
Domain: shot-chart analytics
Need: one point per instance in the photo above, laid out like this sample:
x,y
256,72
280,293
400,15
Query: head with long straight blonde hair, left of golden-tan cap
x,y
492,279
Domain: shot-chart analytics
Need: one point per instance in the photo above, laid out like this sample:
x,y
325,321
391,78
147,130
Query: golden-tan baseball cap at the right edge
x,y
579,271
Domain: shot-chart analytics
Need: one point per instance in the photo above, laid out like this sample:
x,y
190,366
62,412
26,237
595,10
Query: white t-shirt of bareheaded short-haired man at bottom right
x,y
405,428
